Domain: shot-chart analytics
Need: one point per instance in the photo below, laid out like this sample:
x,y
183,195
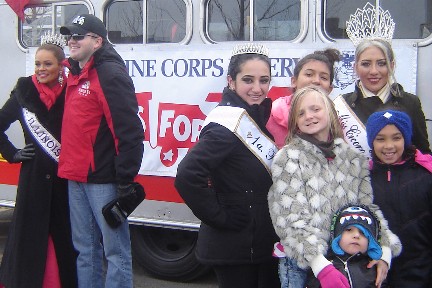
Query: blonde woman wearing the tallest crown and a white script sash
x,y
376,88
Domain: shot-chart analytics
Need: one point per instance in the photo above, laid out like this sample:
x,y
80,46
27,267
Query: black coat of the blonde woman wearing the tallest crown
x,y
409,103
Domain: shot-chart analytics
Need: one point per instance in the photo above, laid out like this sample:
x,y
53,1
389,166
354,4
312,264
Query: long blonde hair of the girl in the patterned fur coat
x,y
334,125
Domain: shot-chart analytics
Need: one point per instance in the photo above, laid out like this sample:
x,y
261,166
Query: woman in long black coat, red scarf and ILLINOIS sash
x,y
39,250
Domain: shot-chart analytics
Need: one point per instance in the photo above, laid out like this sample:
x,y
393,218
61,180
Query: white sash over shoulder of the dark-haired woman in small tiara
x,y
238,121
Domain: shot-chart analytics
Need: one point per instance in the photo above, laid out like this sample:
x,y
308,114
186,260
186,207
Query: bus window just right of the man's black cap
x,y
165,21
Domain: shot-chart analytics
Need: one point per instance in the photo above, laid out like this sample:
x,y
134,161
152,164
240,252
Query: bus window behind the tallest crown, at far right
x,y
418,25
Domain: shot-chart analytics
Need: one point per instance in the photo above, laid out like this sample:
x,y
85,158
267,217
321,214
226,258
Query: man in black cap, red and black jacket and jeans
x,y
102,148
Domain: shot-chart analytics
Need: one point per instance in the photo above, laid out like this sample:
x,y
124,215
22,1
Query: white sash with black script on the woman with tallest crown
x,y
354,130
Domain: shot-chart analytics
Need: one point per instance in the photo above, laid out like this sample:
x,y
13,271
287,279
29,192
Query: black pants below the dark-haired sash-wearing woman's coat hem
x,y
262,275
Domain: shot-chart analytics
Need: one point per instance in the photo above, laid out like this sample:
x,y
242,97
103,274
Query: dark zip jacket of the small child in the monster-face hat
x,y
354,268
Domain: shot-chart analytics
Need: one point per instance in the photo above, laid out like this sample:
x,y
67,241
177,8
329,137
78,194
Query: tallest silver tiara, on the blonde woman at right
x,y
369,23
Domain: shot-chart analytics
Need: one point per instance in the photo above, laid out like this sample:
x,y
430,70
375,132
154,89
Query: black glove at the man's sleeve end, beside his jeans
x,y
129,196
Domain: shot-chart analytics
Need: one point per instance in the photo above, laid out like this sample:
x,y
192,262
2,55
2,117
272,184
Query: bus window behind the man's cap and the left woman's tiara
x,y
39,19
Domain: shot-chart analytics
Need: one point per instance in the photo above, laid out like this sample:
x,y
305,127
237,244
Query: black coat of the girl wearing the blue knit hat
x,y
406,201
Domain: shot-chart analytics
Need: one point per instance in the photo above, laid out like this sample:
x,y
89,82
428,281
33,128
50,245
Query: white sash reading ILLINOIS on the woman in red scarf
x,y
42,136
